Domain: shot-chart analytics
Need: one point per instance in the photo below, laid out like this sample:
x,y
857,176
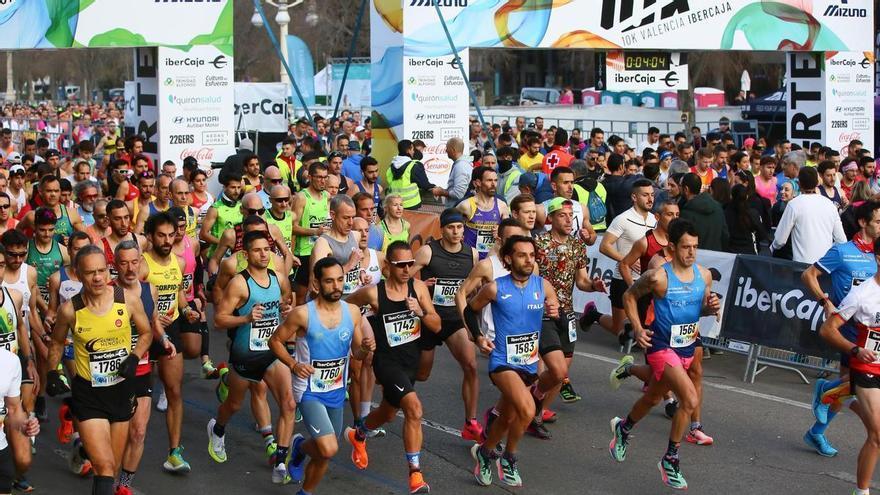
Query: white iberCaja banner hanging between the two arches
x,y
261,107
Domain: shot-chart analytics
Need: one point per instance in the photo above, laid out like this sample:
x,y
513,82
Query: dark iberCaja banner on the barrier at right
x,y
767,304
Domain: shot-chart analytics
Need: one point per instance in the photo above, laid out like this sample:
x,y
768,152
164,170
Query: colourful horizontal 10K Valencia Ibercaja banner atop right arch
x,y
817,25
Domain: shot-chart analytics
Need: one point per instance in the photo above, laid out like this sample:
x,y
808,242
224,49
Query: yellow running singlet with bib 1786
x,y
101,342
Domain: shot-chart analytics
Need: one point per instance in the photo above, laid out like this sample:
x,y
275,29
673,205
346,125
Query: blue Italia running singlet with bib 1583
x,y
517,313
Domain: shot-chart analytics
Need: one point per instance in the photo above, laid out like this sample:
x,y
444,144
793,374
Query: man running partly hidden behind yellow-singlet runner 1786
x,y
127,258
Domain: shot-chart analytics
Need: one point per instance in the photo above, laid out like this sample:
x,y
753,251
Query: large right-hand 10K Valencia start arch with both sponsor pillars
x,y
418,91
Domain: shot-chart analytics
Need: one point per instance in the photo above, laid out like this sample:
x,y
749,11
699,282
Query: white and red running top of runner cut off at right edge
x,y
860,308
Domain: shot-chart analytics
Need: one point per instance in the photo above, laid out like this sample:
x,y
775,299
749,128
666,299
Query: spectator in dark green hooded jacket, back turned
x,y
705,213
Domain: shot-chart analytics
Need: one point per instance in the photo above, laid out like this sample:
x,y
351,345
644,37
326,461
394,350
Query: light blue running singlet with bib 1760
x,y
326,350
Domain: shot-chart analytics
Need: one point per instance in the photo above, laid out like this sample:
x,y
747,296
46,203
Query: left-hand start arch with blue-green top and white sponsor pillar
x,y
183,66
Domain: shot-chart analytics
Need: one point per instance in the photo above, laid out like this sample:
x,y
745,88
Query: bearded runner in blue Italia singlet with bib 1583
x,y
518,302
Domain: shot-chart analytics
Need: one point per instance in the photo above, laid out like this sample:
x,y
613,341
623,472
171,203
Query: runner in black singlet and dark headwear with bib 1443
x,y
444,264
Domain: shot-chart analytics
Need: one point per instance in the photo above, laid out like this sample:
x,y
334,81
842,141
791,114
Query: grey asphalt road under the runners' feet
x,y
757,428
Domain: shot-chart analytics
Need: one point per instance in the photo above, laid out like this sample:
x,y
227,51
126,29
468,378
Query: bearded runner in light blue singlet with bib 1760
x,y
326,331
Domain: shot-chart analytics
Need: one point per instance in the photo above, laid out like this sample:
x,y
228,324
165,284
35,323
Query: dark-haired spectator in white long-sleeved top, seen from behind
x,y
810,220
